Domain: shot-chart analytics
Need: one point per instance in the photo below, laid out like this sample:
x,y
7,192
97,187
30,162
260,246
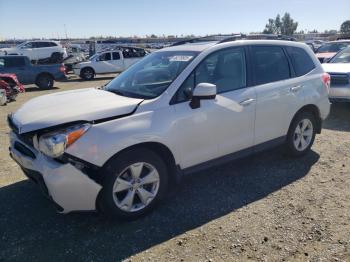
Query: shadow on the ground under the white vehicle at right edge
x,y
339,117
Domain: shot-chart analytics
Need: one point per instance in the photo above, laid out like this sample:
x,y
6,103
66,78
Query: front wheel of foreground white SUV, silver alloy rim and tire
x,y
135,182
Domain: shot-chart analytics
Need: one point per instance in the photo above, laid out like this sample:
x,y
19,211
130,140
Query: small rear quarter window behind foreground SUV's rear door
x,y
301,61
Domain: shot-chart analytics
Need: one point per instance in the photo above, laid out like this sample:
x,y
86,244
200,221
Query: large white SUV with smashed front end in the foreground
x,y
118,148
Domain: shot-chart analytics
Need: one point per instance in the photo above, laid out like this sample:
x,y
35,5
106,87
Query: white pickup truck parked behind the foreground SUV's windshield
x,y
115,61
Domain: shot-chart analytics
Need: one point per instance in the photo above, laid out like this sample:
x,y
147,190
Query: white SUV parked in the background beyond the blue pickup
x,y
37,50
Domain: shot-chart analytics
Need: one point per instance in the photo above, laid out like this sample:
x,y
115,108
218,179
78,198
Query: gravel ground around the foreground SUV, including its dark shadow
x,y
264,208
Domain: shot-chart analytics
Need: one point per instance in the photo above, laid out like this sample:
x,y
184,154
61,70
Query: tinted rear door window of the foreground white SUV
x,y
270,64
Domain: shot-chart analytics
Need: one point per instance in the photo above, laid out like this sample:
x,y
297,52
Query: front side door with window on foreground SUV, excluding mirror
x,y
221,126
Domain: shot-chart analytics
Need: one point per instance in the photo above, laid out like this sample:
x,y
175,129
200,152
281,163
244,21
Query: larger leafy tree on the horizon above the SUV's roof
x,y
285,26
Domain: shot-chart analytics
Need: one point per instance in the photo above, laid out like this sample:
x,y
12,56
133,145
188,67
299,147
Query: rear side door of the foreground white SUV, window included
x,y
279,94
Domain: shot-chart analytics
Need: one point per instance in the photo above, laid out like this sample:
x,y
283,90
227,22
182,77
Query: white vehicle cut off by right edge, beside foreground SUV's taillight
x,y
339,69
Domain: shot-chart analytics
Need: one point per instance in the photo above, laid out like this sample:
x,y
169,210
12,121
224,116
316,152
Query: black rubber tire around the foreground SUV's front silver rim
x,y
114,167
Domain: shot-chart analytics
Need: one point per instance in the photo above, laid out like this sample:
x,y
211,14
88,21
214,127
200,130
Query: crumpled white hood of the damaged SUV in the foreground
x,y
89,104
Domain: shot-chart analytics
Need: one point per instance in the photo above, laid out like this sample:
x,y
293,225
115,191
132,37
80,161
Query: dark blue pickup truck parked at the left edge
x,y
27,73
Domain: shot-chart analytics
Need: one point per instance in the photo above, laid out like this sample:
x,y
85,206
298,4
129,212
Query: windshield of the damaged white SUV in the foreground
x,y
152,75
